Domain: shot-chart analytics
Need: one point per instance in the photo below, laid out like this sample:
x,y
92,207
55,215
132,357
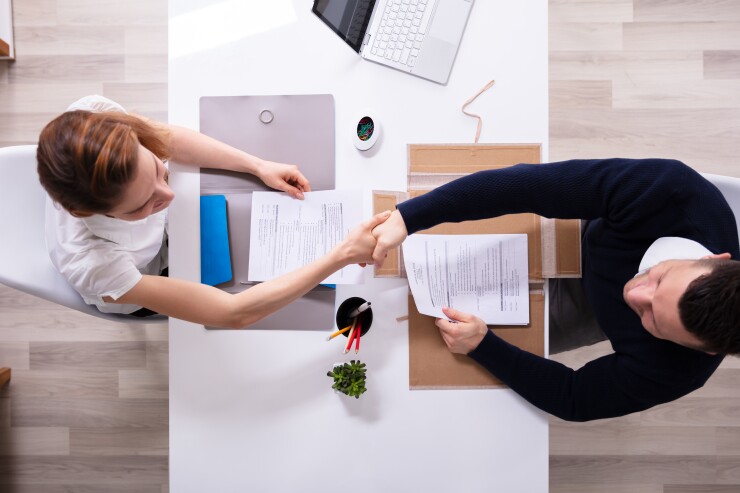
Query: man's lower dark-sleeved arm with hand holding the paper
x,y
606,387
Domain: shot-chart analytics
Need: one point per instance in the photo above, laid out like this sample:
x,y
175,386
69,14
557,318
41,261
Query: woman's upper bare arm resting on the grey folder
x,y
194,148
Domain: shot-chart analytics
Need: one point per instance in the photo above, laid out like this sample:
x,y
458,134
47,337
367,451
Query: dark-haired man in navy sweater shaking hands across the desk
x,y
656,272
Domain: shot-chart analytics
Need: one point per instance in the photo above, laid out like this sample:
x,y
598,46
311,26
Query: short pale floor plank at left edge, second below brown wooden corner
x,y
44,440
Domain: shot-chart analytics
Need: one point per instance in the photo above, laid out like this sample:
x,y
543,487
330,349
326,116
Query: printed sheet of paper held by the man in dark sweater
x,y
486,275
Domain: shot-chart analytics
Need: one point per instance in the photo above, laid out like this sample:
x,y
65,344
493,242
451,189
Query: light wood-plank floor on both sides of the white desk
x,y
86,410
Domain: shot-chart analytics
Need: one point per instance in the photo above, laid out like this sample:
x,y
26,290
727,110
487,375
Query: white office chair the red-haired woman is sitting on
x,y
24,261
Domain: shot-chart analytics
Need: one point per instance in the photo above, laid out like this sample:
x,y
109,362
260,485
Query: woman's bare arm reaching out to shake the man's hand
x,y
207,305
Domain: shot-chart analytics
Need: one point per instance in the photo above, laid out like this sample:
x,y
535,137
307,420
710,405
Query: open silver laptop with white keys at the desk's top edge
x,y
420,37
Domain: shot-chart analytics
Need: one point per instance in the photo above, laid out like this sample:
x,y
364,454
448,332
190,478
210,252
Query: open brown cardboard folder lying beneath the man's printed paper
x,y
554,251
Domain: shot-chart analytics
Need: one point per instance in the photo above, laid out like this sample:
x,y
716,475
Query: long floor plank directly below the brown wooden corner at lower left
x,y
89,413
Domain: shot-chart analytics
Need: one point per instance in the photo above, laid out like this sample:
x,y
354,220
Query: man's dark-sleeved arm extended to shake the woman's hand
x,y
579,189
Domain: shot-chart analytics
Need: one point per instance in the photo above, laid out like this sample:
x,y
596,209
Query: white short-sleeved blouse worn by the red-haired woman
x,y
103,256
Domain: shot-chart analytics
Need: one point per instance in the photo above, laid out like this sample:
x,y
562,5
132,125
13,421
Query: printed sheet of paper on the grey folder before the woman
x,y
288,233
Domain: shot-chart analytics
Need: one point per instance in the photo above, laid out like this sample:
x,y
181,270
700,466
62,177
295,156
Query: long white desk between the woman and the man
x,y
253,410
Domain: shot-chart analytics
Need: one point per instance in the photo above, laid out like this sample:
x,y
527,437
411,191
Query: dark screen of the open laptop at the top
x,y
347,18
